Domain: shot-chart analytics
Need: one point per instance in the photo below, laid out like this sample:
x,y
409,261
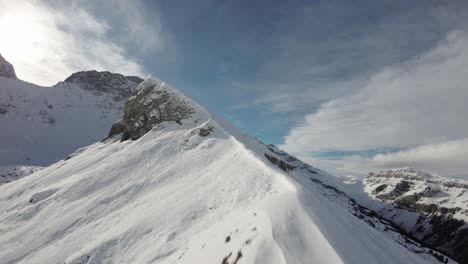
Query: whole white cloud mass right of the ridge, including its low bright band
x,y
419,106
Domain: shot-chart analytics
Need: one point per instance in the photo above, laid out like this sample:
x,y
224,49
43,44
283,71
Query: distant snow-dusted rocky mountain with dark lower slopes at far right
x,y
431,208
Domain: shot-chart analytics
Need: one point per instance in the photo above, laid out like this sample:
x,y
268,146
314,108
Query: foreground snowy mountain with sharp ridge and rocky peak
x,y
174,184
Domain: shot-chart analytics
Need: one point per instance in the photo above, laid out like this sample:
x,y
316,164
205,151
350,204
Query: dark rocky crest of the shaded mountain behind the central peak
x,y
118,85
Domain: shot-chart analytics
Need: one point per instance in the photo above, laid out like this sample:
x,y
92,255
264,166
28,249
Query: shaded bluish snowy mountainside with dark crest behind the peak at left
x,y
41,125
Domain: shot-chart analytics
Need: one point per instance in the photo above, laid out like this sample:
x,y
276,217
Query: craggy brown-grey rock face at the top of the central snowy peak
x,y
153,103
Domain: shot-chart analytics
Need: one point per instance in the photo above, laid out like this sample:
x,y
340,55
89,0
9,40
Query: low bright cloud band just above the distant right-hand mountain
x,y
449,158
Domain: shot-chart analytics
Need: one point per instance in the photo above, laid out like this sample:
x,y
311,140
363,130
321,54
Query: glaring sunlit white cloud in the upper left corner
x,y
47,43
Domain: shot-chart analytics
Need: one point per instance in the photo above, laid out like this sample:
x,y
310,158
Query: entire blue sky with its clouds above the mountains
x,y
299,74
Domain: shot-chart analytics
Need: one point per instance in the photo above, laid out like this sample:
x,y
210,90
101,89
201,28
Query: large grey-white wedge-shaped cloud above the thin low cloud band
x,y
419,102
